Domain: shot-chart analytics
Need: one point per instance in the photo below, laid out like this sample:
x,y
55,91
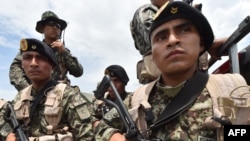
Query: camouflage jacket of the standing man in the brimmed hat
x,y
66,63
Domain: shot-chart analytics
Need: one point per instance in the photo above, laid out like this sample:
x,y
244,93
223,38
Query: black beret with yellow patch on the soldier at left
x,y
32,44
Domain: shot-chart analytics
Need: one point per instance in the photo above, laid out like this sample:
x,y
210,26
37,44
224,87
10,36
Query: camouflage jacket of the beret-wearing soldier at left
x,y
76,115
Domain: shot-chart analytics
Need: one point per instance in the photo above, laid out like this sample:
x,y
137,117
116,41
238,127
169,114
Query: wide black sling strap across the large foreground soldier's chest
x,y
183,100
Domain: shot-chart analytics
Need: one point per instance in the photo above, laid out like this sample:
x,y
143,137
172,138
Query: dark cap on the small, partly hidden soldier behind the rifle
x,y
117,71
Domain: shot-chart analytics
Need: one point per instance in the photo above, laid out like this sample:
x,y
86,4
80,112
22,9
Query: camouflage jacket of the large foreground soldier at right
x,y
186,127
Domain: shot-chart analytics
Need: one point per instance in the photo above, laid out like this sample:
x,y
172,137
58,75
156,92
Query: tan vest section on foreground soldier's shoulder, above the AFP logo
x,y
231,101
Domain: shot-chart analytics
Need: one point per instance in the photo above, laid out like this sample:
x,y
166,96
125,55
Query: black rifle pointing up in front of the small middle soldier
x,y
132,133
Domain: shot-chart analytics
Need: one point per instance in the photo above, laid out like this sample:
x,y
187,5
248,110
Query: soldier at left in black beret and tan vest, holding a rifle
x,y
47,109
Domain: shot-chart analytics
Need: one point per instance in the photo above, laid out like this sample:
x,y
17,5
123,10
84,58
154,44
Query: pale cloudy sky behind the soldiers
x,y
98,33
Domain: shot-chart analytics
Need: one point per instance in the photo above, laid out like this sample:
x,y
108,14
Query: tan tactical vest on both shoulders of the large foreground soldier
x,y
230,97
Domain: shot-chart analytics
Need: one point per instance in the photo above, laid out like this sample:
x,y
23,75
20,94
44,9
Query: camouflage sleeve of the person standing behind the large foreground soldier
x,y
140,26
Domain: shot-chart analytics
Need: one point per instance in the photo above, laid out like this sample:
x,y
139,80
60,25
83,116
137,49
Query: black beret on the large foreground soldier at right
x,y
177,9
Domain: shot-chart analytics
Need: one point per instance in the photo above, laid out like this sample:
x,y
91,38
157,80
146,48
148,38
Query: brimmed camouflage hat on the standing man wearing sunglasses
x,y
48,16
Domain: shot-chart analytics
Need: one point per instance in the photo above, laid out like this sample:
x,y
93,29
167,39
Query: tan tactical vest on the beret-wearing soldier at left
x,y
53,113
